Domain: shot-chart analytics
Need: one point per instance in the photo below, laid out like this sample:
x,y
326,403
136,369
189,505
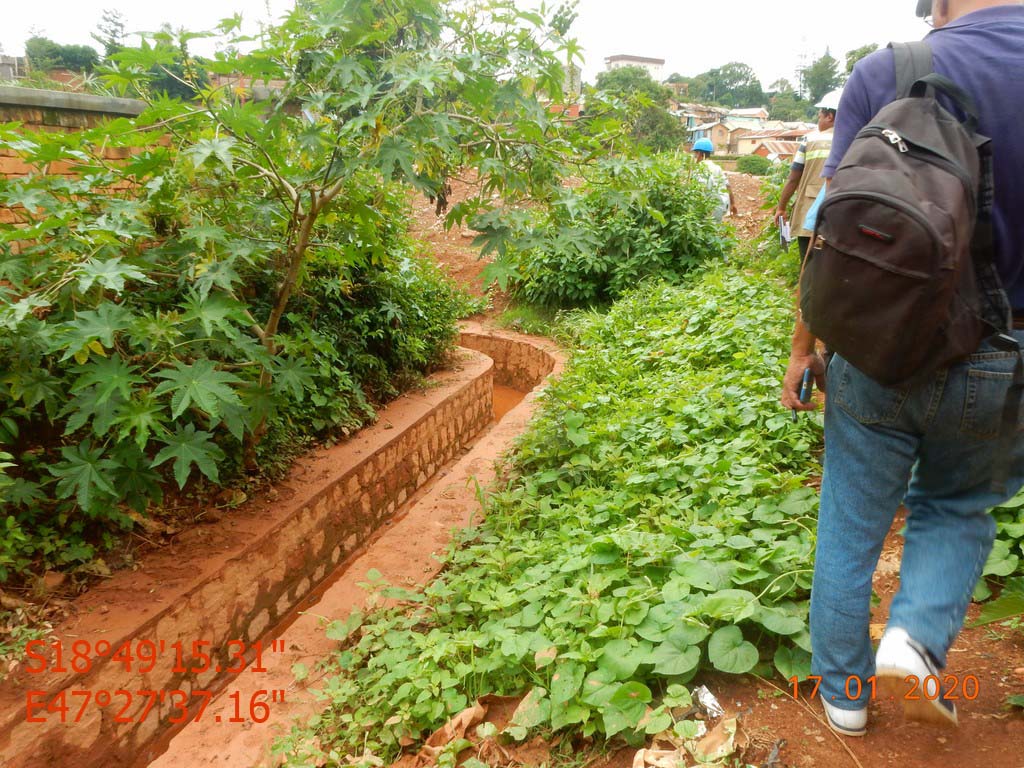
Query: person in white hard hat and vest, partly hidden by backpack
x,y
805,177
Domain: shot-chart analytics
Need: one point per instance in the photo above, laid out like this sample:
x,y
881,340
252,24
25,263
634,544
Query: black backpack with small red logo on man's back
x,y
902,281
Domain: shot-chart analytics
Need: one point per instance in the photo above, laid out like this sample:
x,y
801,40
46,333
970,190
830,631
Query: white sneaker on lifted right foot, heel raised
x,y
907,672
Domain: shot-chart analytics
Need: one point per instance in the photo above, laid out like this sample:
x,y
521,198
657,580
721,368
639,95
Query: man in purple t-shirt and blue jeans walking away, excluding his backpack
x,y
935,445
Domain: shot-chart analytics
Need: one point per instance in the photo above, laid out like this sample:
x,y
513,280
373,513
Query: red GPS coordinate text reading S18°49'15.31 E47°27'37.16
x,y
142,657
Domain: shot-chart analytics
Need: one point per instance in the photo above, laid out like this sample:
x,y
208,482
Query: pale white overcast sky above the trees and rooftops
x,y
692,36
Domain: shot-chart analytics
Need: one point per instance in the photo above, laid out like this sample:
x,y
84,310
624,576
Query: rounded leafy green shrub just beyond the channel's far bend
x,y
637,220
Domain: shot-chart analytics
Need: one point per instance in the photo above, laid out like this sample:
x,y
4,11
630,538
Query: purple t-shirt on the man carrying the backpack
x,y
984,53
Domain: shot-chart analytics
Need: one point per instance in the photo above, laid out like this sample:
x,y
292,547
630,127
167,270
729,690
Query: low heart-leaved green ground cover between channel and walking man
x,y
658,523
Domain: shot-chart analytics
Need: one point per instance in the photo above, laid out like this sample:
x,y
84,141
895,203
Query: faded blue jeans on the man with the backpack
x,y
932,447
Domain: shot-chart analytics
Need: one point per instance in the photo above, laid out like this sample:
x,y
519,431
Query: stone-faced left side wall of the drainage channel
x,y
255,590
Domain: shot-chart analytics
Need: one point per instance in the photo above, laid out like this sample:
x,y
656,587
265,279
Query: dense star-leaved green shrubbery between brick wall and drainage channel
x,y
126,355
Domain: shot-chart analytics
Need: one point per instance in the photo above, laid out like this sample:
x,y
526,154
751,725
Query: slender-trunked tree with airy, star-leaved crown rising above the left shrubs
x,y
415,91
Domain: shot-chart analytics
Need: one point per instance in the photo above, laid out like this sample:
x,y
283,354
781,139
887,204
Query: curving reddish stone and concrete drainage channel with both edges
x,y
258,582
